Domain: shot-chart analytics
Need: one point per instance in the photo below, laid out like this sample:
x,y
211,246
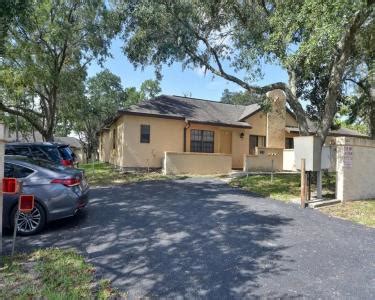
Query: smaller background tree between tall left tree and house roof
x,y
103,96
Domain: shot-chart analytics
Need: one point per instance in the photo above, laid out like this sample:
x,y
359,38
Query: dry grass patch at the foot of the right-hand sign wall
x,y
362,212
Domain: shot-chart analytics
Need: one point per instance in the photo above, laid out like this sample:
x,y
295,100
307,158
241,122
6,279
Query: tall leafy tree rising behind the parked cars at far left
x,y
45,57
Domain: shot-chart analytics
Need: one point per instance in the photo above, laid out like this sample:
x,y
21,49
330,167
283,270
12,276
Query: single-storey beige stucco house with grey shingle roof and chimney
x,y
138,137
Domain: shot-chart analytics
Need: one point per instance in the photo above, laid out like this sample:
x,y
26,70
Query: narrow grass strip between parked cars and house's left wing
x,y
105,174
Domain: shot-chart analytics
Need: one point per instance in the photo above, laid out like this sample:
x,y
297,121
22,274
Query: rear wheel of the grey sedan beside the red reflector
x,y
31,223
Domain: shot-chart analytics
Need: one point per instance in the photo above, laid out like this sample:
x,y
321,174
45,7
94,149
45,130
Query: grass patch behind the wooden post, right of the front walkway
x,y
285,187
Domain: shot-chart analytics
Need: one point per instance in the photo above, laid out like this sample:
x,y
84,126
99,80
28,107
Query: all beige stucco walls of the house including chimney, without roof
x,y
173,135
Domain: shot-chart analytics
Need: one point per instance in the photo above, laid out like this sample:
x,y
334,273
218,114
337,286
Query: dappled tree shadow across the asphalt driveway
x,y
181,238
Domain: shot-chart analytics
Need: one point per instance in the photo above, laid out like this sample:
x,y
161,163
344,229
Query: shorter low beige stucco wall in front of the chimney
x,y
262,160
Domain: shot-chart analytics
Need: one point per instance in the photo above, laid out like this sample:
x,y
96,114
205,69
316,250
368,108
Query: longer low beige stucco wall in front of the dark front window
x,y
196,163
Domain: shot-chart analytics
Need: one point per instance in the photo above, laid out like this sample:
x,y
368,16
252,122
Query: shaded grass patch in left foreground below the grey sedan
x,y
51,274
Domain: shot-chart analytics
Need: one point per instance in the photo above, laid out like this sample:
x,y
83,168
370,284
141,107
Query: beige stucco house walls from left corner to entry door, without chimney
x,y
166,135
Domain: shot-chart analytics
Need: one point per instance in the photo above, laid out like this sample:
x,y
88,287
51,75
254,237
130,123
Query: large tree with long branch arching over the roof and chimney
x,y
232,39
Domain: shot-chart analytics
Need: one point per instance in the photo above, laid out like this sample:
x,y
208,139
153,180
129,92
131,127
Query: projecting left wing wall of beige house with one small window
x,y
128,151
